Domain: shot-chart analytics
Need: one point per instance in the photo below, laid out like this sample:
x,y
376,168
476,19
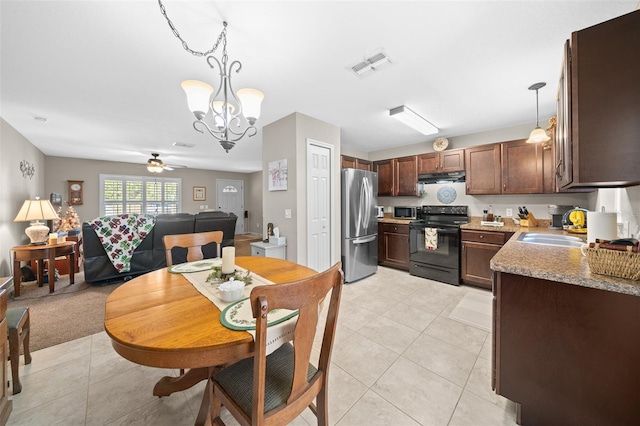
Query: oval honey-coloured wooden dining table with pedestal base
x,y
159,319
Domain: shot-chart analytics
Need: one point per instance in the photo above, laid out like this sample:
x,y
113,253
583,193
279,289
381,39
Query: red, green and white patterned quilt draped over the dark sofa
x,y
121,235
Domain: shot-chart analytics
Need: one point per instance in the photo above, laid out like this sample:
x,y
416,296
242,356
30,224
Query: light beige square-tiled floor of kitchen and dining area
x,y
398,360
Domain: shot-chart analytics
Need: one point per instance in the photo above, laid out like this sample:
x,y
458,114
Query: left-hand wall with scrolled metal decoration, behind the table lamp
x,y
15,189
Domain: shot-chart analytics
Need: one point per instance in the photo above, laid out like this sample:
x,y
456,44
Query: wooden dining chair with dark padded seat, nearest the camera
x,y
274,389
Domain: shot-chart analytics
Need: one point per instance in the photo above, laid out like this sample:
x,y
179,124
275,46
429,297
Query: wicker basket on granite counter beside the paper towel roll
x,y
616,263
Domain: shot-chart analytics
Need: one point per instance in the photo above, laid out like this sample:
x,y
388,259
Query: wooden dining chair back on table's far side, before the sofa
x,y
183,248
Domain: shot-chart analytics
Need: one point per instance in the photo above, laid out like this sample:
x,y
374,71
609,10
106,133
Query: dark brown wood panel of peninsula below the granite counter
x,y
569,355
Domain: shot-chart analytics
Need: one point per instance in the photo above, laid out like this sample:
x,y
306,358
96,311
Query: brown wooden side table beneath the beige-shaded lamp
x,y
40,253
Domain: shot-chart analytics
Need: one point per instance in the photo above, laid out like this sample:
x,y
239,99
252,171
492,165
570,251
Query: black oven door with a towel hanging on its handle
x,y
447,253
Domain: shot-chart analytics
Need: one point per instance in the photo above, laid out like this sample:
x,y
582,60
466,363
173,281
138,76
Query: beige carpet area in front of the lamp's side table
x,y
72,311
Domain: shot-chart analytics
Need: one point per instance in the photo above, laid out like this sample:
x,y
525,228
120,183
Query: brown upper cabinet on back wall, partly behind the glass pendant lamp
x,y
521,167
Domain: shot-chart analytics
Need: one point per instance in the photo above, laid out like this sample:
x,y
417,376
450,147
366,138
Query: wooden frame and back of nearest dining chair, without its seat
x,y
305,295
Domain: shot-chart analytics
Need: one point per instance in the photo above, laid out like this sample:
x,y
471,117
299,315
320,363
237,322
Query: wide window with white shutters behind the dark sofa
x,y
139,194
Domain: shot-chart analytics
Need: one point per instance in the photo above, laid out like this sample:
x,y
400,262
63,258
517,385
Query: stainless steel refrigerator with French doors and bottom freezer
x,y
359,224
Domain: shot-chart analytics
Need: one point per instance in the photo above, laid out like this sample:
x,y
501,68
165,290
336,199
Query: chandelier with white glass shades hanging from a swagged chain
x,y
234,114
